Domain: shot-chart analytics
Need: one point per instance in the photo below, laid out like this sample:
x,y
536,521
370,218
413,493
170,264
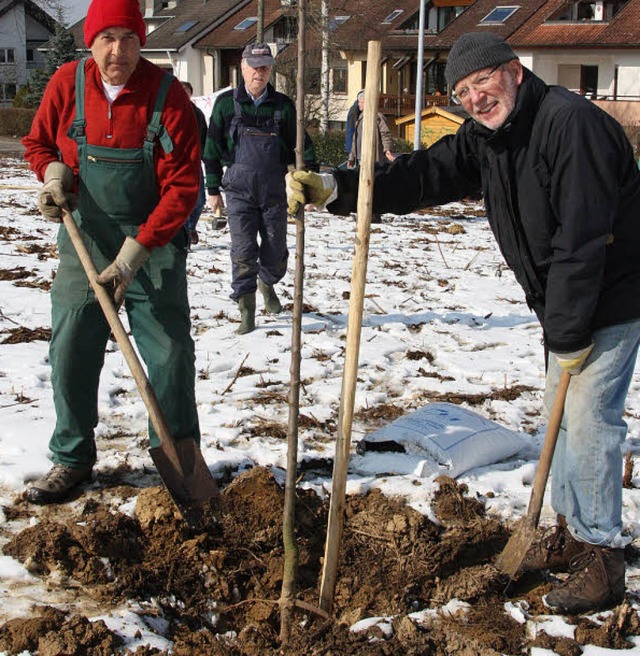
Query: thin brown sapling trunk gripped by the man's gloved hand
x,y
287,596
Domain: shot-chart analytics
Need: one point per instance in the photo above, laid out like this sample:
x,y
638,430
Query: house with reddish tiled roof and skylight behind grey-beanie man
x,y
592,48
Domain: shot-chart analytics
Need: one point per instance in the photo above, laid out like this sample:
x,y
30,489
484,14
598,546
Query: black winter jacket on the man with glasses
x,y
562,195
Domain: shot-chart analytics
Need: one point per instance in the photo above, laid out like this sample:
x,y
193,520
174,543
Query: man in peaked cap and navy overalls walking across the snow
x,y
252,131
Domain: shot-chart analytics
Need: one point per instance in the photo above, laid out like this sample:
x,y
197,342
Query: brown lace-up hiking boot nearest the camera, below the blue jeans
x,y
596,581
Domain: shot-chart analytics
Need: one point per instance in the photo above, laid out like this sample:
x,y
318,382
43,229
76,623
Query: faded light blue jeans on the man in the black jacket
x,y
586,483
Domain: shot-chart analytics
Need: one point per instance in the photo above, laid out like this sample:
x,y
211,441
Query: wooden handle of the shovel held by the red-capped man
x,y
156,415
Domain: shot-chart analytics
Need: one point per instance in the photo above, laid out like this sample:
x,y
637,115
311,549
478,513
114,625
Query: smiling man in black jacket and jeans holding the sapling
x,y
567,224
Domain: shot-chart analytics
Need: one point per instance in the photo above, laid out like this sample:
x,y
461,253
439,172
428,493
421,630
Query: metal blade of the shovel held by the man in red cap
x,y
191,485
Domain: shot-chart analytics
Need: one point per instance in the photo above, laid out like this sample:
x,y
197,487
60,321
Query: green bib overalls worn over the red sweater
x,y
117,192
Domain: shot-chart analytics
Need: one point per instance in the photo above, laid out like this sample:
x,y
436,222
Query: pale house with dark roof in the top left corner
x,y
24,27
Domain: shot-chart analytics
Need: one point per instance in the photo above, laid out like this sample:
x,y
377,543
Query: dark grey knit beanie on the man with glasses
x,y
474,51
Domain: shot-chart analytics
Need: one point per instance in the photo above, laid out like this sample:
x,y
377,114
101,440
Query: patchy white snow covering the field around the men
x,y
442,316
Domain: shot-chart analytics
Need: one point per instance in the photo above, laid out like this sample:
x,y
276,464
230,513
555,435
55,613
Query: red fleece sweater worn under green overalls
x,y
177,174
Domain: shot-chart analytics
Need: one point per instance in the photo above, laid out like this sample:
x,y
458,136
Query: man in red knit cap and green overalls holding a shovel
x,y
115,139
